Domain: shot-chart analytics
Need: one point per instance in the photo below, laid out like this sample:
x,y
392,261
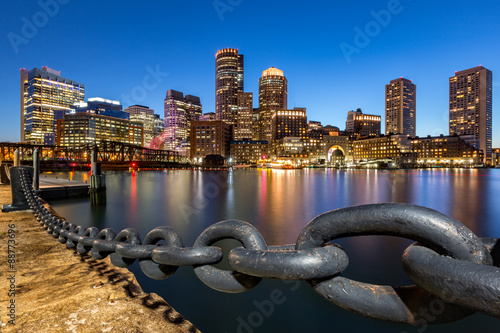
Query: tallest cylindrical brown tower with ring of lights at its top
x,y
228,82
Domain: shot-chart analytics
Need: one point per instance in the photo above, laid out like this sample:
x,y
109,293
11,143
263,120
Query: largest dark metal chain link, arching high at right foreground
x,y
427,226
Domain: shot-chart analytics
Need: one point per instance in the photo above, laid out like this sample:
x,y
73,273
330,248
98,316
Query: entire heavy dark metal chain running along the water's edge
x,y
451,267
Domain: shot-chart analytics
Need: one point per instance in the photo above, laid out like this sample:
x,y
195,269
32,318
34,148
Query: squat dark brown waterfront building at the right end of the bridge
x,y
210,138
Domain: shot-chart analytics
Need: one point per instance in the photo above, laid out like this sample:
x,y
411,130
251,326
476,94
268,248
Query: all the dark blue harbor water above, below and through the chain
x,y
280,203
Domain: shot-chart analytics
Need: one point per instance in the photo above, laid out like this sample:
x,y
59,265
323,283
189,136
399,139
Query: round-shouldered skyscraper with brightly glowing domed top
x,y
273,96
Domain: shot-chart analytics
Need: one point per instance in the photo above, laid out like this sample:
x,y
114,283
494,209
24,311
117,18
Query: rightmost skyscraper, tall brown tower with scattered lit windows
x,y
471,107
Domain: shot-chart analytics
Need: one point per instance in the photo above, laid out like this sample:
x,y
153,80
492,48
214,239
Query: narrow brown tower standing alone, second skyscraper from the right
x,y
400,107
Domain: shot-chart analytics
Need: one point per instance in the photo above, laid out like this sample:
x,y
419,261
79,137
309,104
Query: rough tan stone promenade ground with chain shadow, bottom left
x,y
57,290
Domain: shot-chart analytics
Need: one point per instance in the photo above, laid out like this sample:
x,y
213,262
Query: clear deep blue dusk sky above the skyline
x,y
336,55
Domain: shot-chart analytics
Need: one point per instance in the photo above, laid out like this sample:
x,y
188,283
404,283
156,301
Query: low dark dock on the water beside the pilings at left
x,y
57,188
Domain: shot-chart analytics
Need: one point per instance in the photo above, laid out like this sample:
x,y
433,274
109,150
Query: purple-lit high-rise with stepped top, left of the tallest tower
x,y
180,111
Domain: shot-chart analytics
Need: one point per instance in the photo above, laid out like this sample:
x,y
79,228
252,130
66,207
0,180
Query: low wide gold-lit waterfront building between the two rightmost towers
x,y
447,151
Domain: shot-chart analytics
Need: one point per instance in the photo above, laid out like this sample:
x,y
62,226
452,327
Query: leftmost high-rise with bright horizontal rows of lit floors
x,y
44,91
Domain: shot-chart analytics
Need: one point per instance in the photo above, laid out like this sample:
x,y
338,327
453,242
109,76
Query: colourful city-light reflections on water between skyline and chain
x,y
281,202
